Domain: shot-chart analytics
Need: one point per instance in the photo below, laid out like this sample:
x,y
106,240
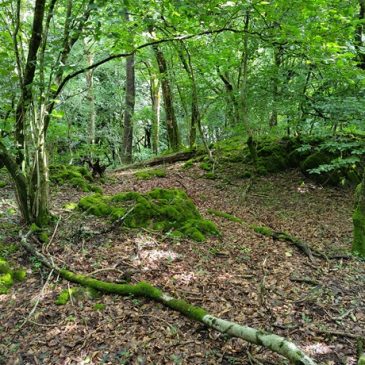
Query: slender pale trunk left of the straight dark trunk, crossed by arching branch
x,y
90,94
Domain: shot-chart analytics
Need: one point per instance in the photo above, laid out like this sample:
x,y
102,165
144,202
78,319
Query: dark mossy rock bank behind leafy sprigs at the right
x,y
327,160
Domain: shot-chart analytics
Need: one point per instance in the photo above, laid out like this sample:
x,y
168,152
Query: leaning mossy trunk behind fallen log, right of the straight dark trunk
x,y
171,123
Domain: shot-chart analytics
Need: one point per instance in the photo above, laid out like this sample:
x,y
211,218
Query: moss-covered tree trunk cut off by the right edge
x,y
358,217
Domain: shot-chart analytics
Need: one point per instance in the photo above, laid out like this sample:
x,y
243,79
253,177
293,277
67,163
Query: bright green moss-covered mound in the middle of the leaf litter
x,y
166,210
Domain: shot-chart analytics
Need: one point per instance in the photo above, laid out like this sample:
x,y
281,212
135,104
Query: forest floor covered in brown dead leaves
x,y
242,276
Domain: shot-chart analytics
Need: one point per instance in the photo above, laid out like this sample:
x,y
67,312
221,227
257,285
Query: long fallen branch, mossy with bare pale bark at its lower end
x,y
143,289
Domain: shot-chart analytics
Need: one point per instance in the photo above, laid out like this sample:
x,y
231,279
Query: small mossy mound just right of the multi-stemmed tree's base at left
x,y
76,176
